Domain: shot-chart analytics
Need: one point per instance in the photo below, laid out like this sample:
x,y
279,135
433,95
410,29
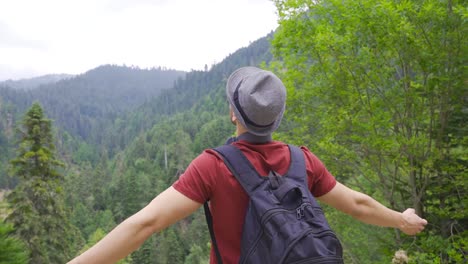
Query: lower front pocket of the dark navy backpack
x,y
290,236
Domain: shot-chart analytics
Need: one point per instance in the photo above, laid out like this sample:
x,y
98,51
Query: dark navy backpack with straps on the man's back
x,y
283,223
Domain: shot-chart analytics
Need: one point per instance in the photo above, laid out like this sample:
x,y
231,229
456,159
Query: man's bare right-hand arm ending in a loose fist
x,y
368,210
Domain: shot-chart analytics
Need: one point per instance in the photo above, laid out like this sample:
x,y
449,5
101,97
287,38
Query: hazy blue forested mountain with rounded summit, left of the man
x,y
92,100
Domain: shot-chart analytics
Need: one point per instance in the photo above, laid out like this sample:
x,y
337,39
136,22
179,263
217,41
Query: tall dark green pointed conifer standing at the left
x,y
37,203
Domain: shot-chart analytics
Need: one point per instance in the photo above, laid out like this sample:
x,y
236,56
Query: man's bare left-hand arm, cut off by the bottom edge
x,y
166,209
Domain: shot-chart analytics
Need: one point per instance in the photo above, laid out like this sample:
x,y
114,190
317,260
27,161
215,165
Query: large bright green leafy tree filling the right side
x,y
377,89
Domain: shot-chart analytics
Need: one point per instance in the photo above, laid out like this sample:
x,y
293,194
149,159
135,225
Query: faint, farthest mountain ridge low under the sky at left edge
x,y
32,83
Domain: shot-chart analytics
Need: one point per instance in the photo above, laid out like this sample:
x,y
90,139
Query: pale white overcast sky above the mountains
x,y
74,36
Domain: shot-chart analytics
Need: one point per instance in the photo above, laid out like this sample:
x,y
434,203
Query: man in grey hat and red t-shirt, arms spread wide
x,y
257,102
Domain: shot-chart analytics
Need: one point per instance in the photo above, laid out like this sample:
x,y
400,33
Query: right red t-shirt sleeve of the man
x,y
320,180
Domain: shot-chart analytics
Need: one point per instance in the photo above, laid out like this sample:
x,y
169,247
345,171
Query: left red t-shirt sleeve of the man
x,y
198,180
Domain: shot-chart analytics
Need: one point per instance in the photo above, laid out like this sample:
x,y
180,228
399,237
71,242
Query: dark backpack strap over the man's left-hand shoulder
x,y
240,167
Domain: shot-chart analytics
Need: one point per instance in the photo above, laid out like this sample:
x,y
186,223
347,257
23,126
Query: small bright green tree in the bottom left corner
x,y
12,250
